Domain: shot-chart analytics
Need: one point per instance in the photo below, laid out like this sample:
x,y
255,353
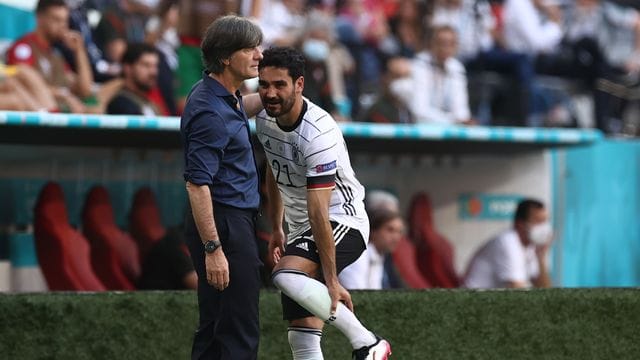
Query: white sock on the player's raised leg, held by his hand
x,y
314,296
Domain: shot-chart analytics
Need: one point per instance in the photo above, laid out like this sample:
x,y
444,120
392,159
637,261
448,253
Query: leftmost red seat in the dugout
x,y
63,253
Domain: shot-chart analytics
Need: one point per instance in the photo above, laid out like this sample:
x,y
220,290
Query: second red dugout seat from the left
x,y
114,253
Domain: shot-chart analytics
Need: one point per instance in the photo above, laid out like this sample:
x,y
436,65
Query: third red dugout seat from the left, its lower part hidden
x,y
145,224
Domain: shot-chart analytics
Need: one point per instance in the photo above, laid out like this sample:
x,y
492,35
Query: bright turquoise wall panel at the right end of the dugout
x,y
597,214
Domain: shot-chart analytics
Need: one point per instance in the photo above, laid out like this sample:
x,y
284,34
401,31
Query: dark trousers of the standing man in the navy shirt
x,y
229,320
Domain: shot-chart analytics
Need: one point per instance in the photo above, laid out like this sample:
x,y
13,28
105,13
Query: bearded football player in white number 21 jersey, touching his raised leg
x,y
312,185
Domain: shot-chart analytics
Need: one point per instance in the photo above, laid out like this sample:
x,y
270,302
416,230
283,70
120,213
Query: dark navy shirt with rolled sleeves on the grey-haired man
x,y
217,145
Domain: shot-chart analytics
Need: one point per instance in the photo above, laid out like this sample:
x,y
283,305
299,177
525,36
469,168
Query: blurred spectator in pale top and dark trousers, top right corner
x,y
606,39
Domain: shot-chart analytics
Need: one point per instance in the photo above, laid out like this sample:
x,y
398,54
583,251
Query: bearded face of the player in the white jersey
x,y
278,91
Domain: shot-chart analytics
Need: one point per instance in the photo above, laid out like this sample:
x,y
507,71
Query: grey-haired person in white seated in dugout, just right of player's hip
x,y
370,271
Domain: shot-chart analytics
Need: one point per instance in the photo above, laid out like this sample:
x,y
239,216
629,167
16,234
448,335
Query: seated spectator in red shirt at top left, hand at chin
x,y
36,49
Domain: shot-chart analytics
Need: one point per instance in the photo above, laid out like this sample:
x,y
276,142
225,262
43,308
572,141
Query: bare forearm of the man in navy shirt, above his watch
x,y
202,210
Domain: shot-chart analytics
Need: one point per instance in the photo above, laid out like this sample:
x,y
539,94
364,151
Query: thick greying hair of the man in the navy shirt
x,y
226,35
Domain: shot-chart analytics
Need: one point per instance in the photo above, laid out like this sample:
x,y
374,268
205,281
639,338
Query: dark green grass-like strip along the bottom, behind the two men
x,y
436,324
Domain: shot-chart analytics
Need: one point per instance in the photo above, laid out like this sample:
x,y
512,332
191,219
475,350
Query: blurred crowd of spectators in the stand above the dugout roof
x,y
557,63
